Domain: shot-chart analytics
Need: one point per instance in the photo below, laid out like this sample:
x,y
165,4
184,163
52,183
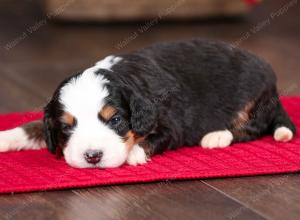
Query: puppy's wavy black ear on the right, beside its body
x,y
143,115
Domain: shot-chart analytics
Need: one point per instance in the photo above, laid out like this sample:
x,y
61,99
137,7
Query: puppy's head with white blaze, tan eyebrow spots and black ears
x,y
94,122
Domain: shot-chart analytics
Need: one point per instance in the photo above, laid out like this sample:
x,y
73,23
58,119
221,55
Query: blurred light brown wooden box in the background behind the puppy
x,y
102,10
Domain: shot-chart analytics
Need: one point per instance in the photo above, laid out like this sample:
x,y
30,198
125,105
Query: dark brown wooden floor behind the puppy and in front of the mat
x,y
35,55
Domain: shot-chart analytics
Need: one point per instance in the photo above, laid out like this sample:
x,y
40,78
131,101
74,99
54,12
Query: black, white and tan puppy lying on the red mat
x,y
130,106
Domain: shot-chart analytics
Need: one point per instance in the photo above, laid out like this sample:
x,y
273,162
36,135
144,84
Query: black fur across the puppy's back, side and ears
x,y
175,93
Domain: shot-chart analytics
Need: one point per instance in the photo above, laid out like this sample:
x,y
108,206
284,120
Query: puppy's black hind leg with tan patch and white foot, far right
x,y
266,117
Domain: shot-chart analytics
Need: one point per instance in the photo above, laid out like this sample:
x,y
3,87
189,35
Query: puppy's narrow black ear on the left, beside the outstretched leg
x,y
49,133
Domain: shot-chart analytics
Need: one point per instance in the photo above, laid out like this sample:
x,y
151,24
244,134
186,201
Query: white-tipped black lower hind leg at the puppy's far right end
x,y
283,128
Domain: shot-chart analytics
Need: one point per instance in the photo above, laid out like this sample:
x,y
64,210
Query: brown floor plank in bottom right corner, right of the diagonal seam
x,y
278,197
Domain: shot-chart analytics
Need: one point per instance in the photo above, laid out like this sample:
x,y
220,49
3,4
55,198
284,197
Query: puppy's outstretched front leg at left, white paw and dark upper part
x,y
28,136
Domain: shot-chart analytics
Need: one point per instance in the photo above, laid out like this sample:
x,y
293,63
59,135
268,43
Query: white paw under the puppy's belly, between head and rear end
x,y
217,139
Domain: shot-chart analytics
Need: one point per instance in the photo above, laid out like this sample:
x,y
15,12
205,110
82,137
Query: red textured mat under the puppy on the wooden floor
x,y
39,170
